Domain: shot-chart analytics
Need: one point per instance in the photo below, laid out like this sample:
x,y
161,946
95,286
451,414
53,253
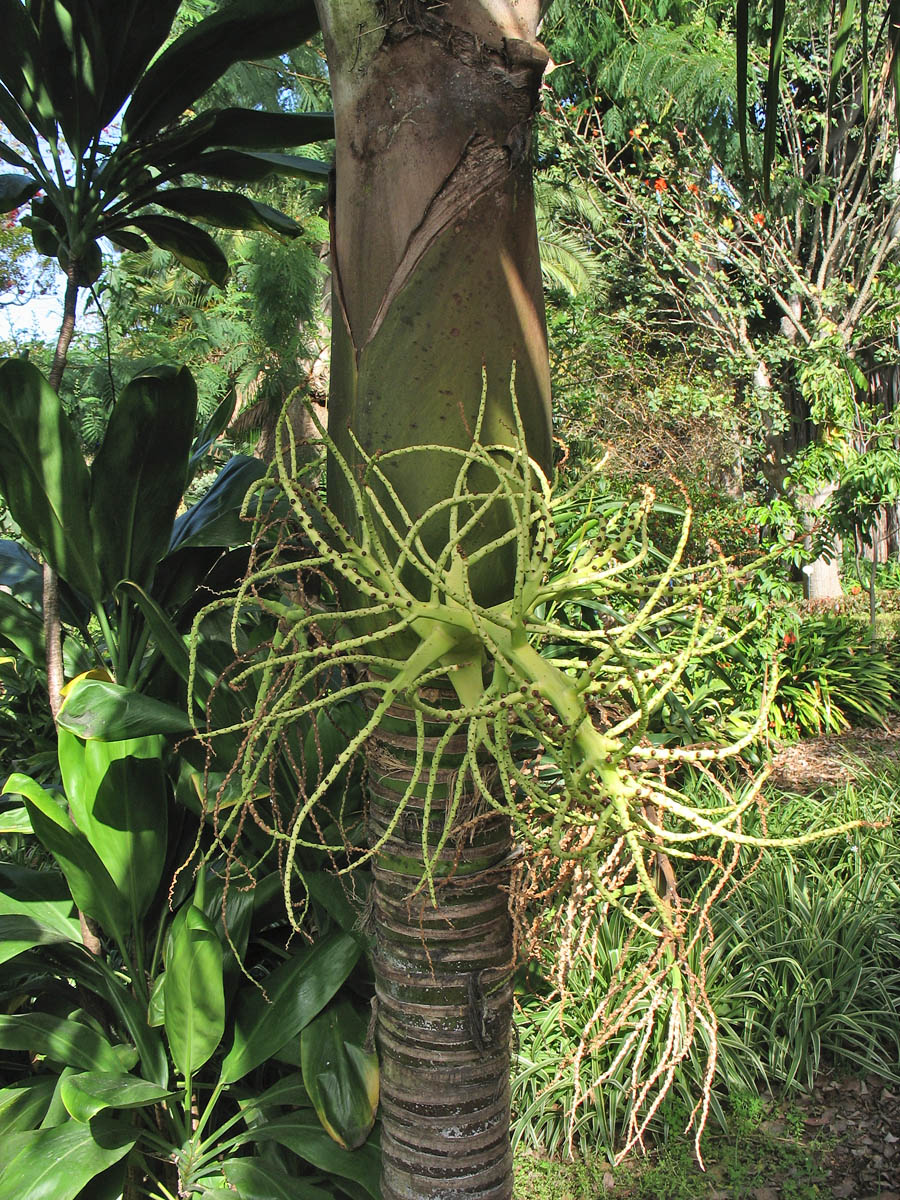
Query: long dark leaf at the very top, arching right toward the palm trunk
x,y
244,29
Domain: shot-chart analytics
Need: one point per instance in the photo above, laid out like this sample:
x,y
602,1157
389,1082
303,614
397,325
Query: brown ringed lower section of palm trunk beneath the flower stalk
x,y
445,983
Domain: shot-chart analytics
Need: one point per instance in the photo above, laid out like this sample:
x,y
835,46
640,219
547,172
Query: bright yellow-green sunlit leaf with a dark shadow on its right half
x,y
118,799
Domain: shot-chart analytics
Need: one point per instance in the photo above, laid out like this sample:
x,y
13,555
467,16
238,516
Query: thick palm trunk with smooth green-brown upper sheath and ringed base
x,y
437,307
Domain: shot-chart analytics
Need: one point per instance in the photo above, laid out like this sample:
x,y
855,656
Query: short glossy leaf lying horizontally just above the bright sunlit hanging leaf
x,y
98,709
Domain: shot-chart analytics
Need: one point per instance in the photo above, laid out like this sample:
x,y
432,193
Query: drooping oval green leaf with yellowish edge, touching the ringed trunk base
x,y
341,1077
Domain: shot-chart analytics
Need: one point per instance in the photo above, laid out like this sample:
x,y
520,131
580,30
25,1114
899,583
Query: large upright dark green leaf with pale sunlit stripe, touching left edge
x,y
43,475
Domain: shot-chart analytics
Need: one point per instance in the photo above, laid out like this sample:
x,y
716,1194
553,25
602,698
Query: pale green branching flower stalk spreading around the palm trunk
x,y
560,747
